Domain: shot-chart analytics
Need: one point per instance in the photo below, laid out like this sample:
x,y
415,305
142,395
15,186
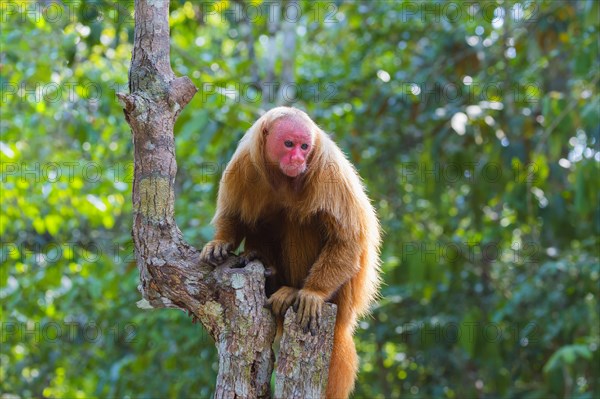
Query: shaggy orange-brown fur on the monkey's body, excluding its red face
x,y
319,231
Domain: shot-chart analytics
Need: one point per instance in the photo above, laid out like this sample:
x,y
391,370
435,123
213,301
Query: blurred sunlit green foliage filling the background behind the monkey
x,y
477,136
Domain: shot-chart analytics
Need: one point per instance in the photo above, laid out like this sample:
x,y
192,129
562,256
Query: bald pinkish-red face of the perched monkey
x,y
288,145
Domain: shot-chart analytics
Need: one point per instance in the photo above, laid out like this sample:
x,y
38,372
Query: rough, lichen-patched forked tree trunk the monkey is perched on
x,y
228,300
